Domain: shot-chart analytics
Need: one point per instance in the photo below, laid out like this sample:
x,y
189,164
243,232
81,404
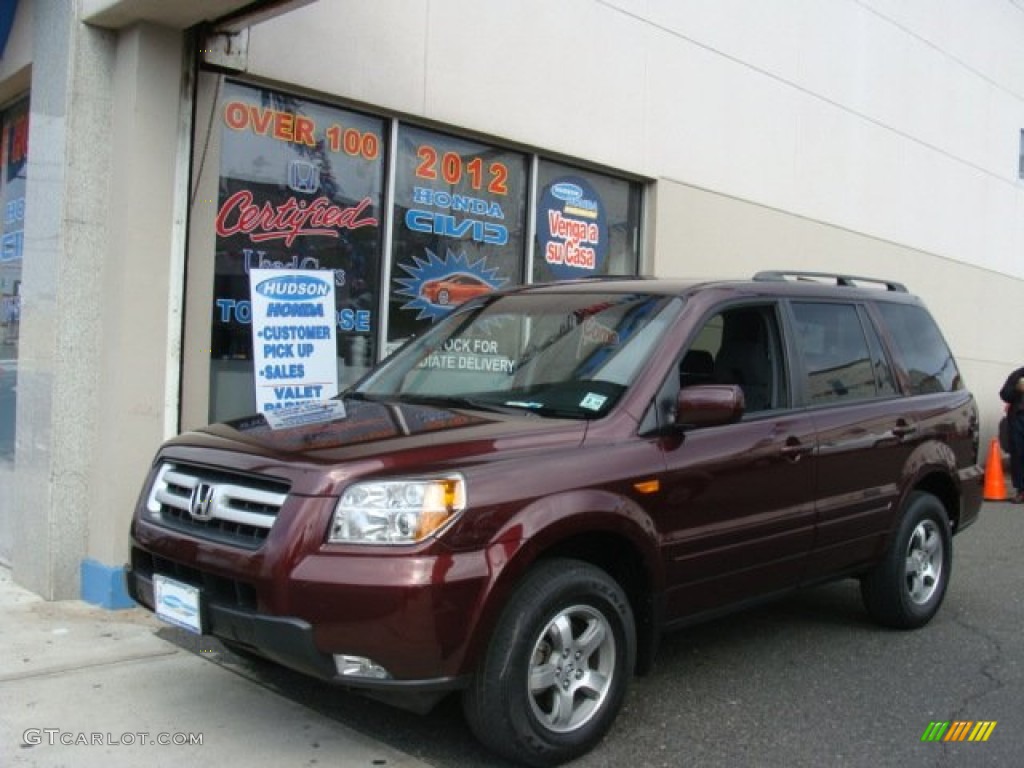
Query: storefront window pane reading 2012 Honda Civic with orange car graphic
x,y
460,211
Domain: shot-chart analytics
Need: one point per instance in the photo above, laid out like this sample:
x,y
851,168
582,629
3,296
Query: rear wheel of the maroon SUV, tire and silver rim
x,y
907,588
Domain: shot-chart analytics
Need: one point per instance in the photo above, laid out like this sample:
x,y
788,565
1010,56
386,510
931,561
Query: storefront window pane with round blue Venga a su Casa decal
x,y
587,225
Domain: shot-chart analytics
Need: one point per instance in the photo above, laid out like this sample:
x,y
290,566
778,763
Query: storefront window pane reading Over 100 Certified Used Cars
x,y
302,188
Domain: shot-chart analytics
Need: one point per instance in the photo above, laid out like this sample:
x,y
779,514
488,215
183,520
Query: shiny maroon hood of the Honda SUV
x,y
392,435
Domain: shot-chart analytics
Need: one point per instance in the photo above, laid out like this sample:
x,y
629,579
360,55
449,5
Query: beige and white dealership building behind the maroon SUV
x,y
158,157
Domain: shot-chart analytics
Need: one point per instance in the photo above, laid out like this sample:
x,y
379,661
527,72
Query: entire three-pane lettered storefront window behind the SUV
x,y
391,225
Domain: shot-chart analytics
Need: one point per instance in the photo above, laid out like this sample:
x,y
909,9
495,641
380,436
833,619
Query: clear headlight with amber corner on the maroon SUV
x,y
397,511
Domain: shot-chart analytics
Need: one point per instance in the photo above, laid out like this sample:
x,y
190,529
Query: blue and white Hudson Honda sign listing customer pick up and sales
x,y
295,349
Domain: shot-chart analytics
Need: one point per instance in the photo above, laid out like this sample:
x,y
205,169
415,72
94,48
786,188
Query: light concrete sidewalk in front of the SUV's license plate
x,y
86,687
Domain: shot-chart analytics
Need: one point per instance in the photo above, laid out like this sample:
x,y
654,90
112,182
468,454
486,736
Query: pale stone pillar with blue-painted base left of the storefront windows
x,y
102,276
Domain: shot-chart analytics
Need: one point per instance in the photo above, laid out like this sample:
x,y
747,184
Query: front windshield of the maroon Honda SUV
x,y
562,355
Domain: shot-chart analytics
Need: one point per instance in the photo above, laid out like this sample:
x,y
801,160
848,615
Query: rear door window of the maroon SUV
x,y
838,360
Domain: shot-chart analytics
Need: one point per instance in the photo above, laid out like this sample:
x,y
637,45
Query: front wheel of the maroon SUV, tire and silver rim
x,y
558,667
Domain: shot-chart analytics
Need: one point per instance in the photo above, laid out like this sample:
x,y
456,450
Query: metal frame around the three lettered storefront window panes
x,y
200,402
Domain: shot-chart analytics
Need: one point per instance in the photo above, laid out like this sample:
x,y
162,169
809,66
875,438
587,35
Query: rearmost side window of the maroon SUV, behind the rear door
x,y
921,350
